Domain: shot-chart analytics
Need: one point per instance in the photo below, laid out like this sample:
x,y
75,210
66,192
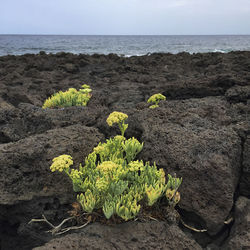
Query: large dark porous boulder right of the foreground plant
x,y
190,138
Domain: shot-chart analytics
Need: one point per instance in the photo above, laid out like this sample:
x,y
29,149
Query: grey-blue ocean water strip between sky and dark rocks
x,y
121,45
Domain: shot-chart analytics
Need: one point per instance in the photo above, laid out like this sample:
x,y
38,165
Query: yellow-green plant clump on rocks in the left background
x,y
69,98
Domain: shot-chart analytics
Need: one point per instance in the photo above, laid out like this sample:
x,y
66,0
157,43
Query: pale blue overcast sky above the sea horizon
x,y
125,17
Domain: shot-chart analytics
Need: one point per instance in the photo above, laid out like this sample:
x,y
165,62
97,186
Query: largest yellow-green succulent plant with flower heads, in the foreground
x,y
112,180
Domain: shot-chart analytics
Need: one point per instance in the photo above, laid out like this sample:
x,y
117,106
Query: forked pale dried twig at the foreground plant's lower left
x,y
57,230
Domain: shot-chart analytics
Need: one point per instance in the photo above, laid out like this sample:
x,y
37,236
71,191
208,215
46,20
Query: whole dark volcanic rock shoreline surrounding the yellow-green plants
x,y
201,133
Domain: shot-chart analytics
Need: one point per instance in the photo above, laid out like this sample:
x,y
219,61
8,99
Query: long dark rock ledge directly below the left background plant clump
x,y
27,120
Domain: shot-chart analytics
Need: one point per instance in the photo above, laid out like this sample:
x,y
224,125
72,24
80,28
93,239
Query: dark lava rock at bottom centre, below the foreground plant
x,y
132,235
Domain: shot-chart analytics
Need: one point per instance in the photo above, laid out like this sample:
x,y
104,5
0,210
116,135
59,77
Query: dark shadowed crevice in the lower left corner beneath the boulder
x,y
16,233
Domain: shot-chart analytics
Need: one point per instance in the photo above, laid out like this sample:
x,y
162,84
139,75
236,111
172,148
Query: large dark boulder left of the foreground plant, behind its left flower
x,y
24,167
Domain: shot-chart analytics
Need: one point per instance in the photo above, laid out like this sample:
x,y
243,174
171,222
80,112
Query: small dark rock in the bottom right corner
x,y
240,234
